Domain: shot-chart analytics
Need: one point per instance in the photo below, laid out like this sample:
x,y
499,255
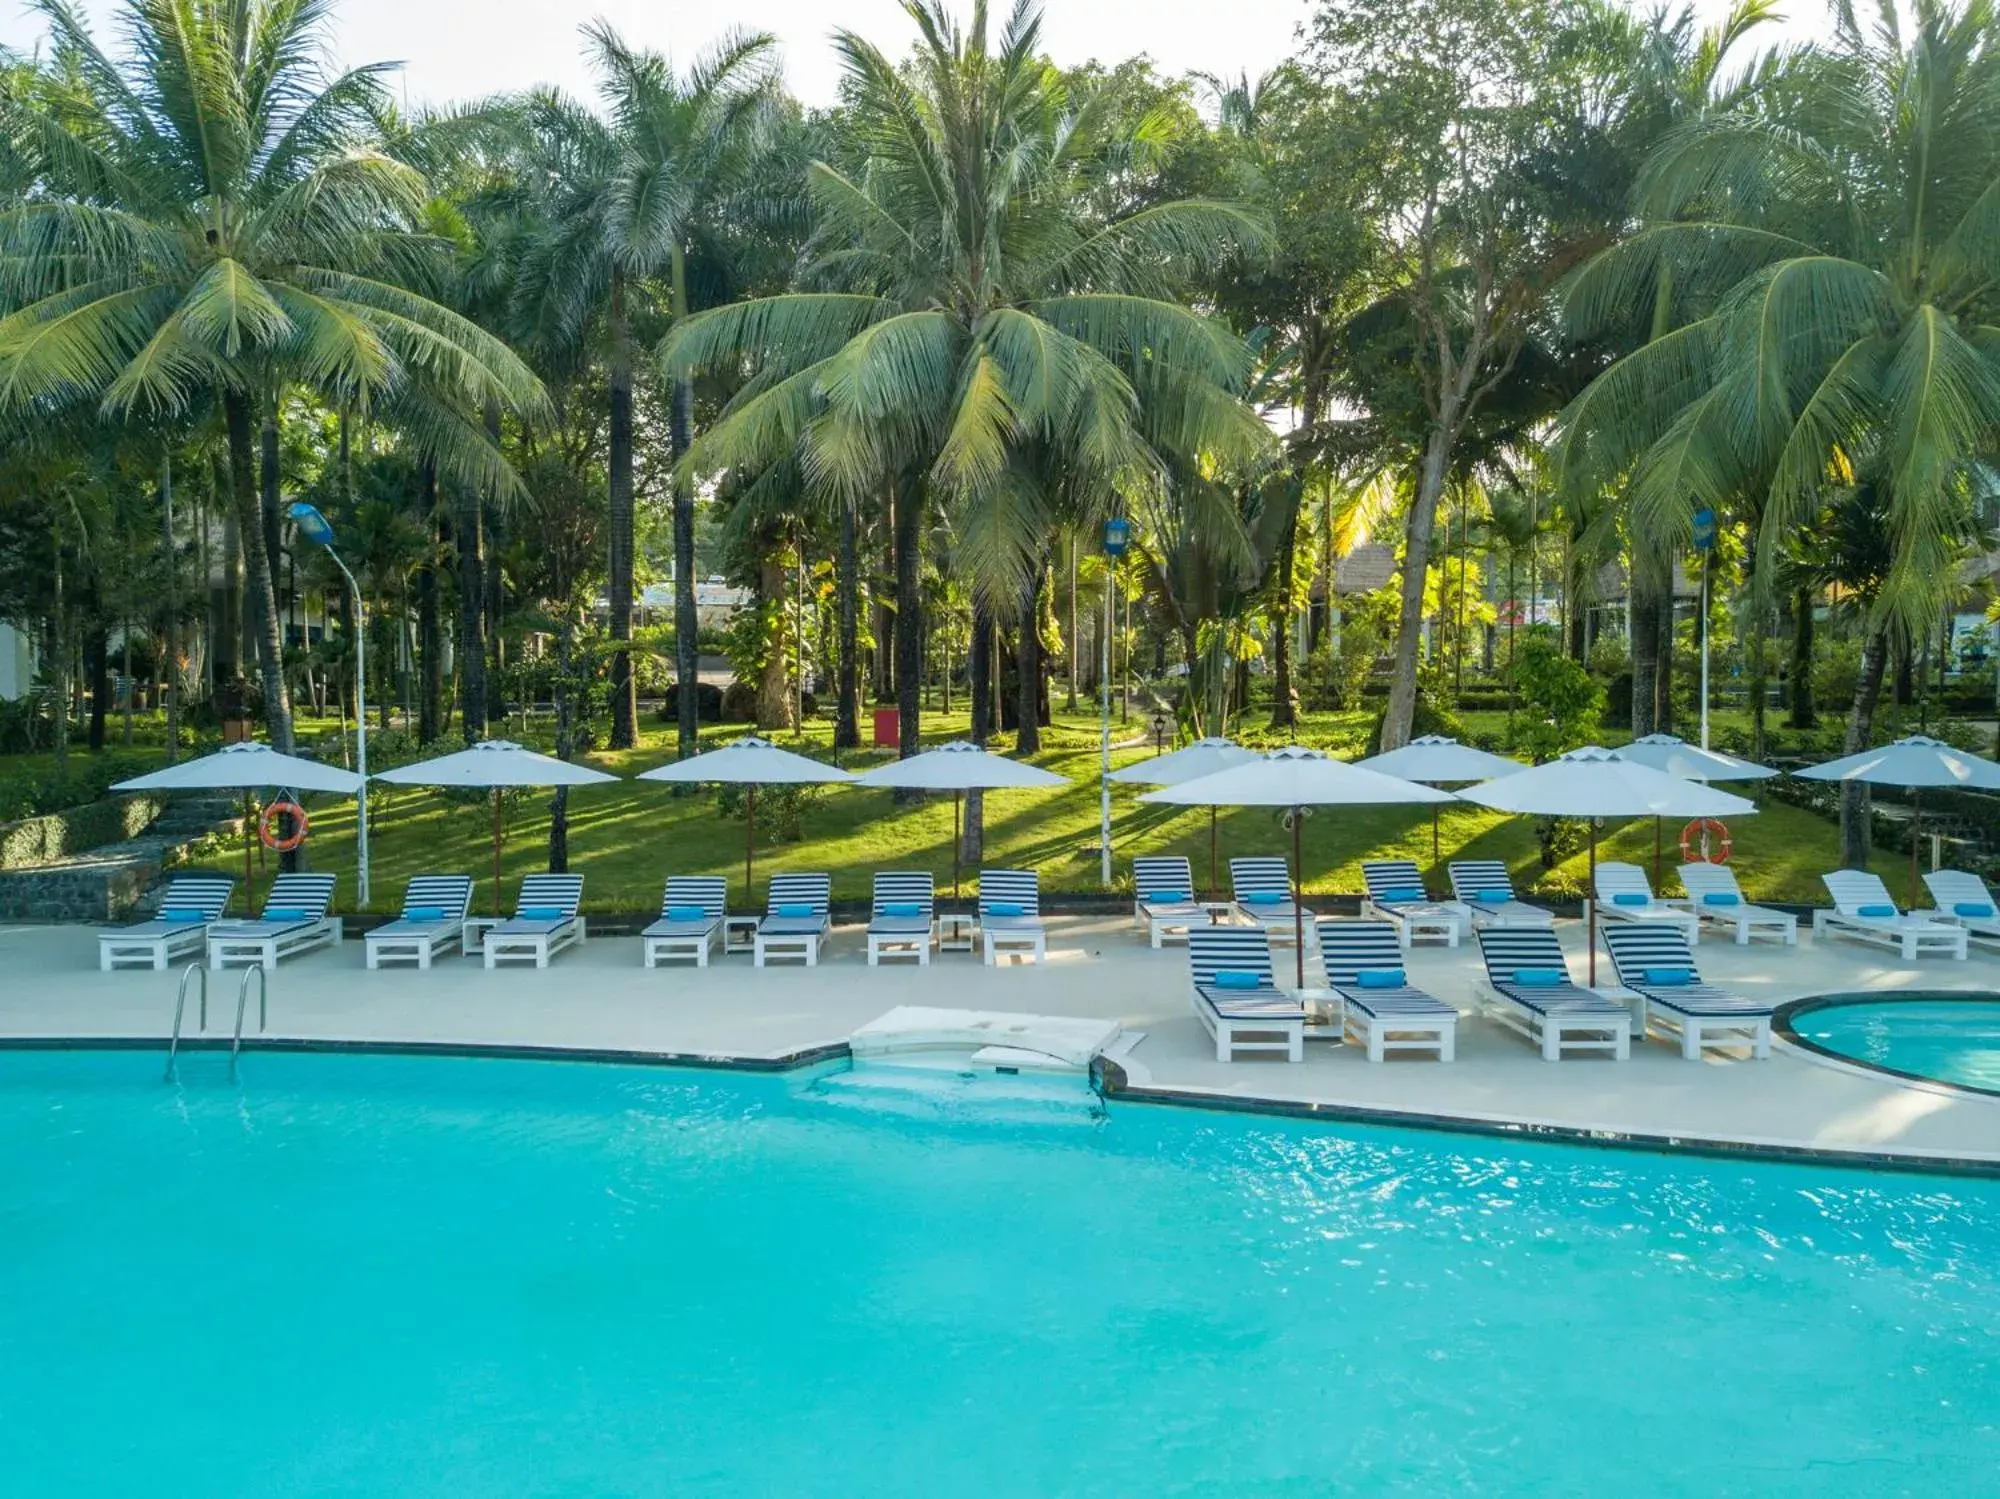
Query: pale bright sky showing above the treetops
x,y
465,49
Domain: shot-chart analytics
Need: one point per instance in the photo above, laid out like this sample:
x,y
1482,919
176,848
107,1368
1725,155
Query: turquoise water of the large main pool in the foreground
x,y
491,1280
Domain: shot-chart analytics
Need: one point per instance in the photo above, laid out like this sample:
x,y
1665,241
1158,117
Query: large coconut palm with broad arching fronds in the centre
x,y
973,319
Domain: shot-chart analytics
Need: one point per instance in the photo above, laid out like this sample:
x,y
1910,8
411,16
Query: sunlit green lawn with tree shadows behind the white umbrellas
x,y
627,838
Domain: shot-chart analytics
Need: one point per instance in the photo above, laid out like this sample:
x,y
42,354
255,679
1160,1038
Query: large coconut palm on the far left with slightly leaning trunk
x,y
207,215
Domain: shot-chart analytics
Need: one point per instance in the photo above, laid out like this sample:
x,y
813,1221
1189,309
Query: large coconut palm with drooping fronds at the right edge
x,y
1835,235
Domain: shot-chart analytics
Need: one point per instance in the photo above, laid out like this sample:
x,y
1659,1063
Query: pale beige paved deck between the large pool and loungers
x,y
599,998
